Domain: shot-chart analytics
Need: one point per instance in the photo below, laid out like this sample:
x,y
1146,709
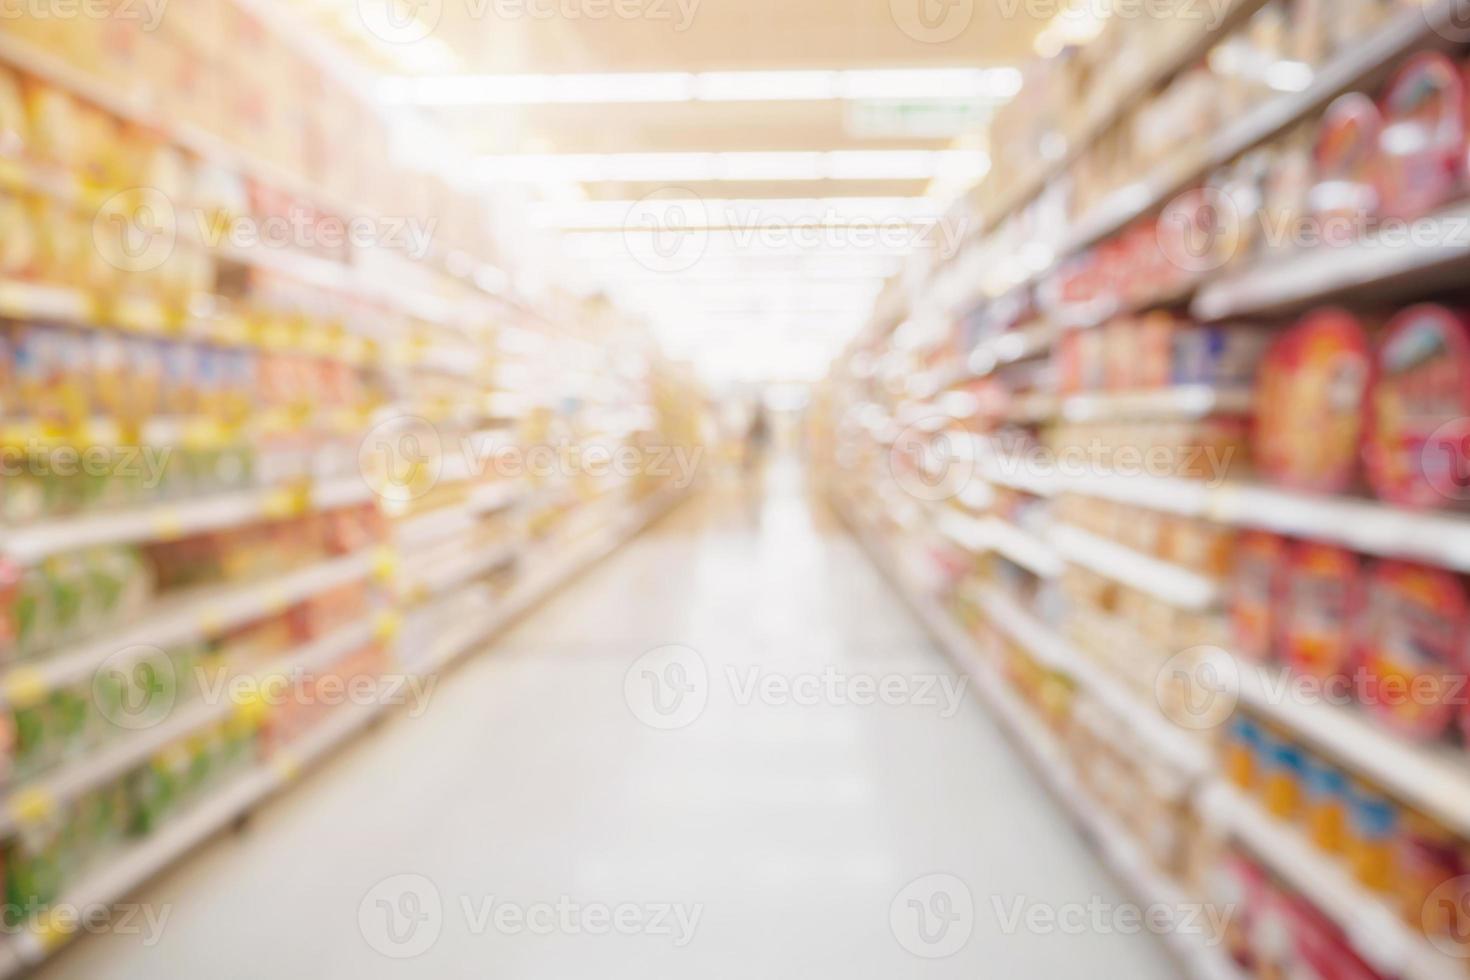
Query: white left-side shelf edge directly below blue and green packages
x,y
29,544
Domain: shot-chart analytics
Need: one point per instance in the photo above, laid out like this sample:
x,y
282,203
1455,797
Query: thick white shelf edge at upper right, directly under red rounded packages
x,y
1435,258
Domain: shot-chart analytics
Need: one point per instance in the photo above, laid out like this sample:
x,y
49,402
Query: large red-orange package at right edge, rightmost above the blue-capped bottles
x,y
1415,627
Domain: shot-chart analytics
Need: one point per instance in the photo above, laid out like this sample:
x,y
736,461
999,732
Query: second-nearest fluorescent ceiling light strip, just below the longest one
x,y
664,168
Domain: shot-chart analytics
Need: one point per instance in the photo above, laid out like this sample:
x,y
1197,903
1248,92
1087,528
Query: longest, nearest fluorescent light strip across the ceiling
x,y
965,84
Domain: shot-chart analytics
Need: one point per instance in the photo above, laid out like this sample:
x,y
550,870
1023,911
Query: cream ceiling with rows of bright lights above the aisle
x,y
758,265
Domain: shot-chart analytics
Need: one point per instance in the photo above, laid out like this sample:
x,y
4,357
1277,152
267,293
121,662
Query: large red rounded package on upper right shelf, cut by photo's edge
x,y
1424,142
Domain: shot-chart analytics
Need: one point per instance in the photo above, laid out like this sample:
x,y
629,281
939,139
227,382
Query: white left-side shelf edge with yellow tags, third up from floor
x,y
195,616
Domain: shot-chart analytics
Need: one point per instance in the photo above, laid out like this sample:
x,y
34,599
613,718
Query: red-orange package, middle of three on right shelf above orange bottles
x,y
1321,602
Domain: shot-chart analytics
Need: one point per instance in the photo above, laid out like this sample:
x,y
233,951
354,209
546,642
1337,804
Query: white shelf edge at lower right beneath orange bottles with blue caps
x,y
1375,931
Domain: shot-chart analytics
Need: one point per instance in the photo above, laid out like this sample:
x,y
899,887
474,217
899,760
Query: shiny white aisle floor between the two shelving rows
x,y
792,829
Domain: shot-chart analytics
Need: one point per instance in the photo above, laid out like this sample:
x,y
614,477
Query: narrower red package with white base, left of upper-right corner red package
x,y
1347,190
